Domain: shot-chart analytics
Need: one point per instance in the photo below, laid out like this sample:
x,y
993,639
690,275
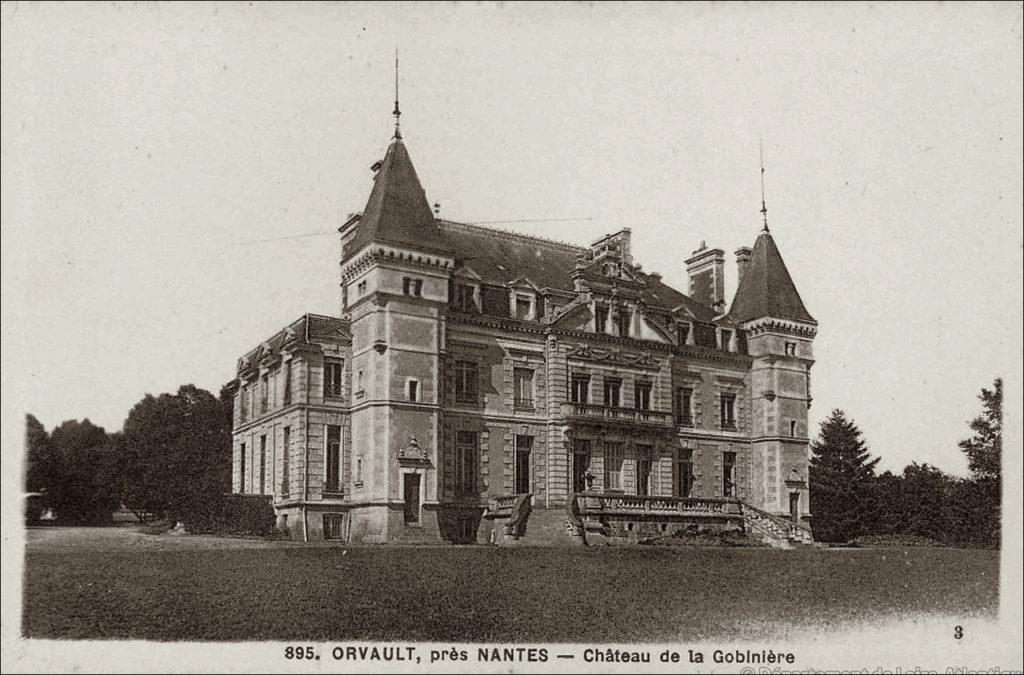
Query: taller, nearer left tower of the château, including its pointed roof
x,y
395,276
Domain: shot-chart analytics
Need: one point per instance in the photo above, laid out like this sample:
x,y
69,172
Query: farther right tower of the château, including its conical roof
x,y
781,333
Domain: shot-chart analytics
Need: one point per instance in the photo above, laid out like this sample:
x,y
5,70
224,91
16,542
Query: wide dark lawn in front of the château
x,y
115,584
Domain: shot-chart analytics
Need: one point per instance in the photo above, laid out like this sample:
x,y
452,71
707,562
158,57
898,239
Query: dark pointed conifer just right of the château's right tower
x,y
842,473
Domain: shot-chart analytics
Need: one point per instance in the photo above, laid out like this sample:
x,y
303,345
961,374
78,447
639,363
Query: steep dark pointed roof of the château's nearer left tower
x,y
398,212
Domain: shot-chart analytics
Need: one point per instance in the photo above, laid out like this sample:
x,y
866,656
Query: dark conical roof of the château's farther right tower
x,y
767,289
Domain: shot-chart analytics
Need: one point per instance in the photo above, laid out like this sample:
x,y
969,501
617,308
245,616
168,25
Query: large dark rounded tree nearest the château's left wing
x,y
178,455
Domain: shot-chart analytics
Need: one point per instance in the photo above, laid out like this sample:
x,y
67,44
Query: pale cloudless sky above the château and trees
x,y
174,177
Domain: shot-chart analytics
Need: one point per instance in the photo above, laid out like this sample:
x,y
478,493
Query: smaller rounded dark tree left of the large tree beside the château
x,y
79,474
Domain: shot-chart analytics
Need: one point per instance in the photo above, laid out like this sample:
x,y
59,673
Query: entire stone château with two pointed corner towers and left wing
x,y
486,387
